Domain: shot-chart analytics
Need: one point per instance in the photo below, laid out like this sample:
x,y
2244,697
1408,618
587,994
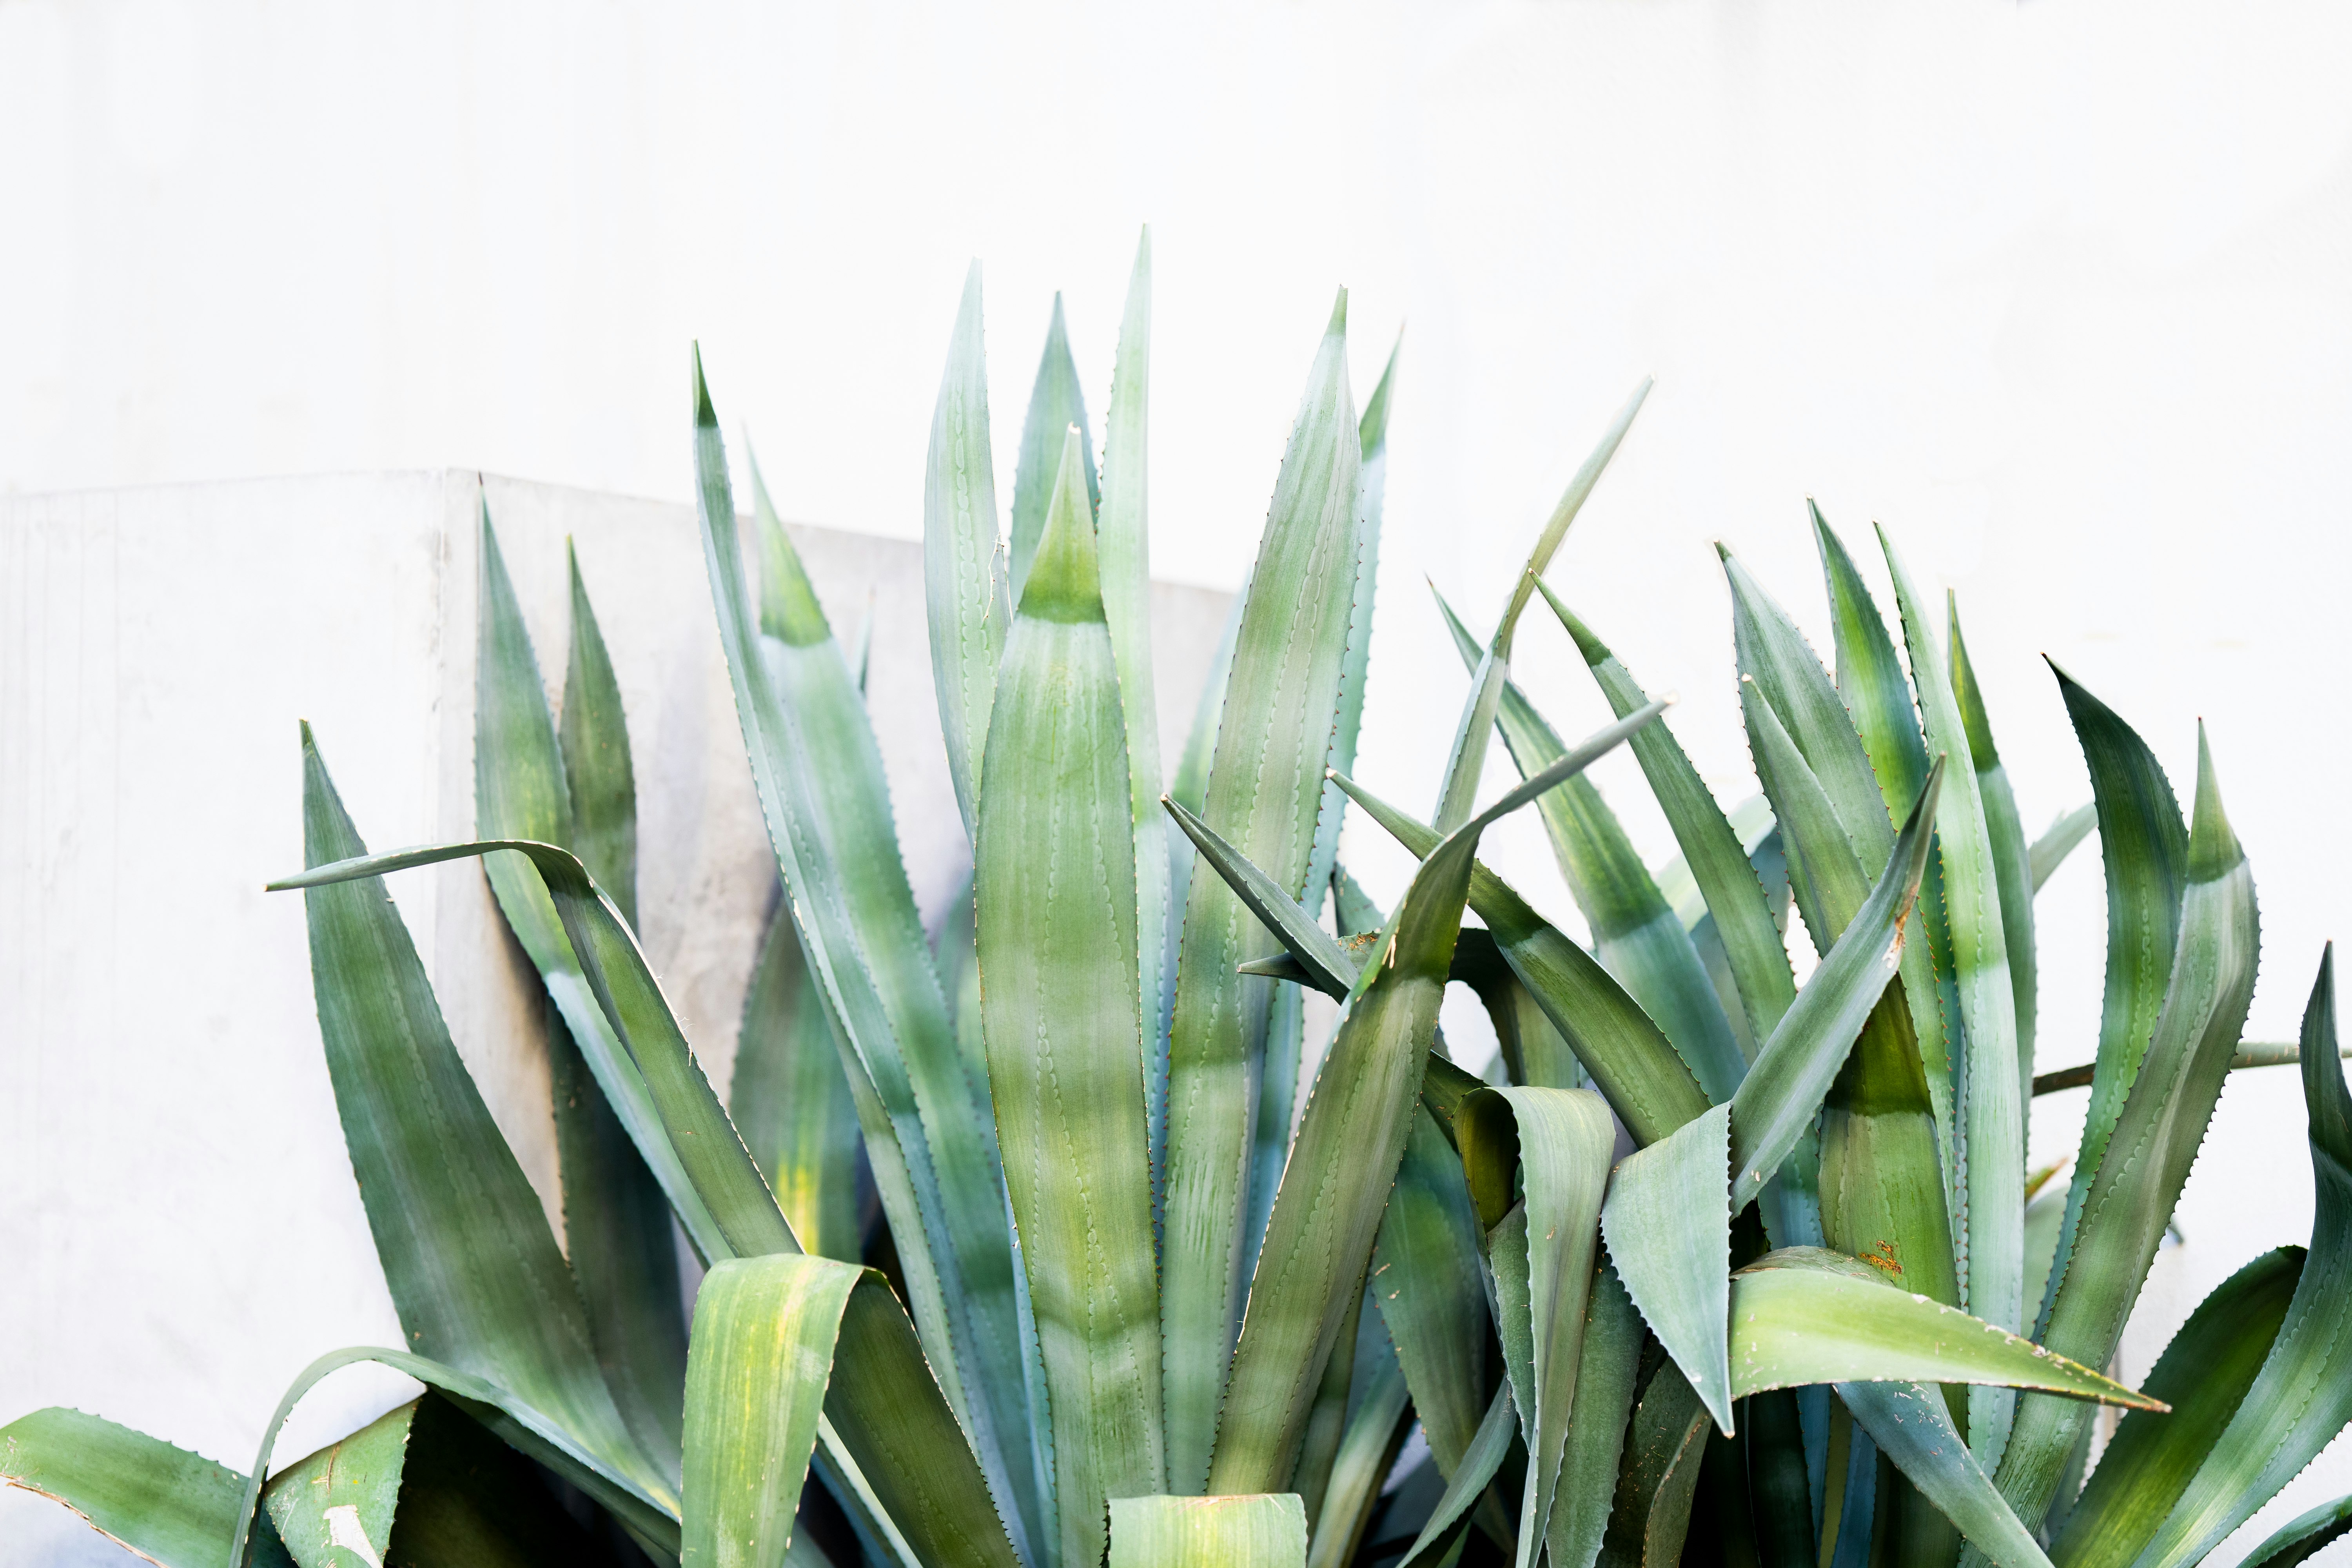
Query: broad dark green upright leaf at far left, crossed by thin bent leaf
x,y
465,1245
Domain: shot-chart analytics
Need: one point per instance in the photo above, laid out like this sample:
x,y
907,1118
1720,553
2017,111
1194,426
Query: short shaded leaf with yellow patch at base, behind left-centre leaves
x,y
791,1099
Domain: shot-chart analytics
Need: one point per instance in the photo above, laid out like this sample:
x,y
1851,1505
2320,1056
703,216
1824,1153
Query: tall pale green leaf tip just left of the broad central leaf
x,y
963,556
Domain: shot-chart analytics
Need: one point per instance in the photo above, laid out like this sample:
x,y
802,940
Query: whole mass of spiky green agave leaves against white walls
x,y
1130,1282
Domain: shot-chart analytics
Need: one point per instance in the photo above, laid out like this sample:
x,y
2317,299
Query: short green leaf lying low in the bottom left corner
x,y
159,1501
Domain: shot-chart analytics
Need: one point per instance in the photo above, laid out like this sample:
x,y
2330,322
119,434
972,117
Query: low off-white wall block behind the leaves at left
x,y
178,1217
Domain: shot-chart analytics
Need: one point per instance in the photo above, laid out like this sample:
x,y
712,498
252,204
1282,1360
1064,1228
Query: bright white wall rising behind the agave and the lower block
x,y
2062,293
